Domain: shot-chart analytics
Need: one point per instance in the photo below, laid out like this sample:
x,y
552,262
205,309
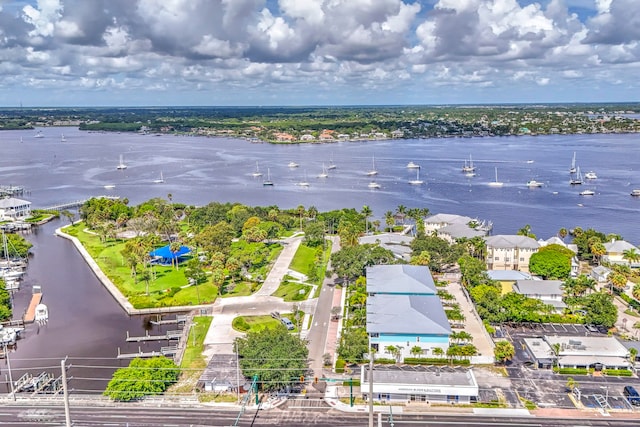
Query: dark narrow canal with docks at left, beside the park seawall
x,y
85,325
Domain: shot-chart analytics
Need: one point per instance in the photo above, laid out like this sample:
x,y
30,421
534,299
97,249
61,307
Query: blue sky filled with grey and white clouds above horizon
x,y
59,53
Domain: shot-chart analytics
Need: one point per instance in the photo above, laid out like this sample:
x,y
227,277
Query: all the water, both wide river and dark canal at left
x,y
88,326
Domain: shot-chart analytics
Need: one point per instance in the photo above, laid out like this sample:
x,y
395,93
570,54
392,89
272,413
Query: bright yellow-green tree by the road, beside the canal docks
x,y
143,377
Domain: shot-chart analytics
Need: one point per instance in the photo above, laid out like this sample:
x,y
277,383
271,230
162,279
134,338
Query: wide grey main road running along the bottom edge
x,y
141,416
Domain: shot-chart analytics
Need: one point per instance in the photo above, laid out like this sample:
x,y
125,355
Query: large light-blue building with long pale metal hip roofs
x,y
404,311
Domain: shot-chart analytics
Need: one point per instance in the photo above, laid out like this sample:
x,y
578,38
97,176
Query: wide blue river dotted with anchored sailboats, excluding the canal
x,y
198,170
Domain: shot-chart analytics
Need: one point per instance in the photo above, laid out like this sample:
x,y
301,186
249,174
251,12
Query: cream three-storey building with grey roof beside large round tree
x,y
510,252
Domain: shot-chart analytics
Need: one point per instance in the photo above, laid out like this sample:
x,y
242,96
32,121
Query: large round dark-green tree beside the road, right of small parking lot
x,y
277,357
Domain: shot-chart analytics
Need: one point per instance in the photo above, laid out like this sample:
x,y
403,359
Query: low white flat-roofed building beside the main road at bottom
x,y
420,384
